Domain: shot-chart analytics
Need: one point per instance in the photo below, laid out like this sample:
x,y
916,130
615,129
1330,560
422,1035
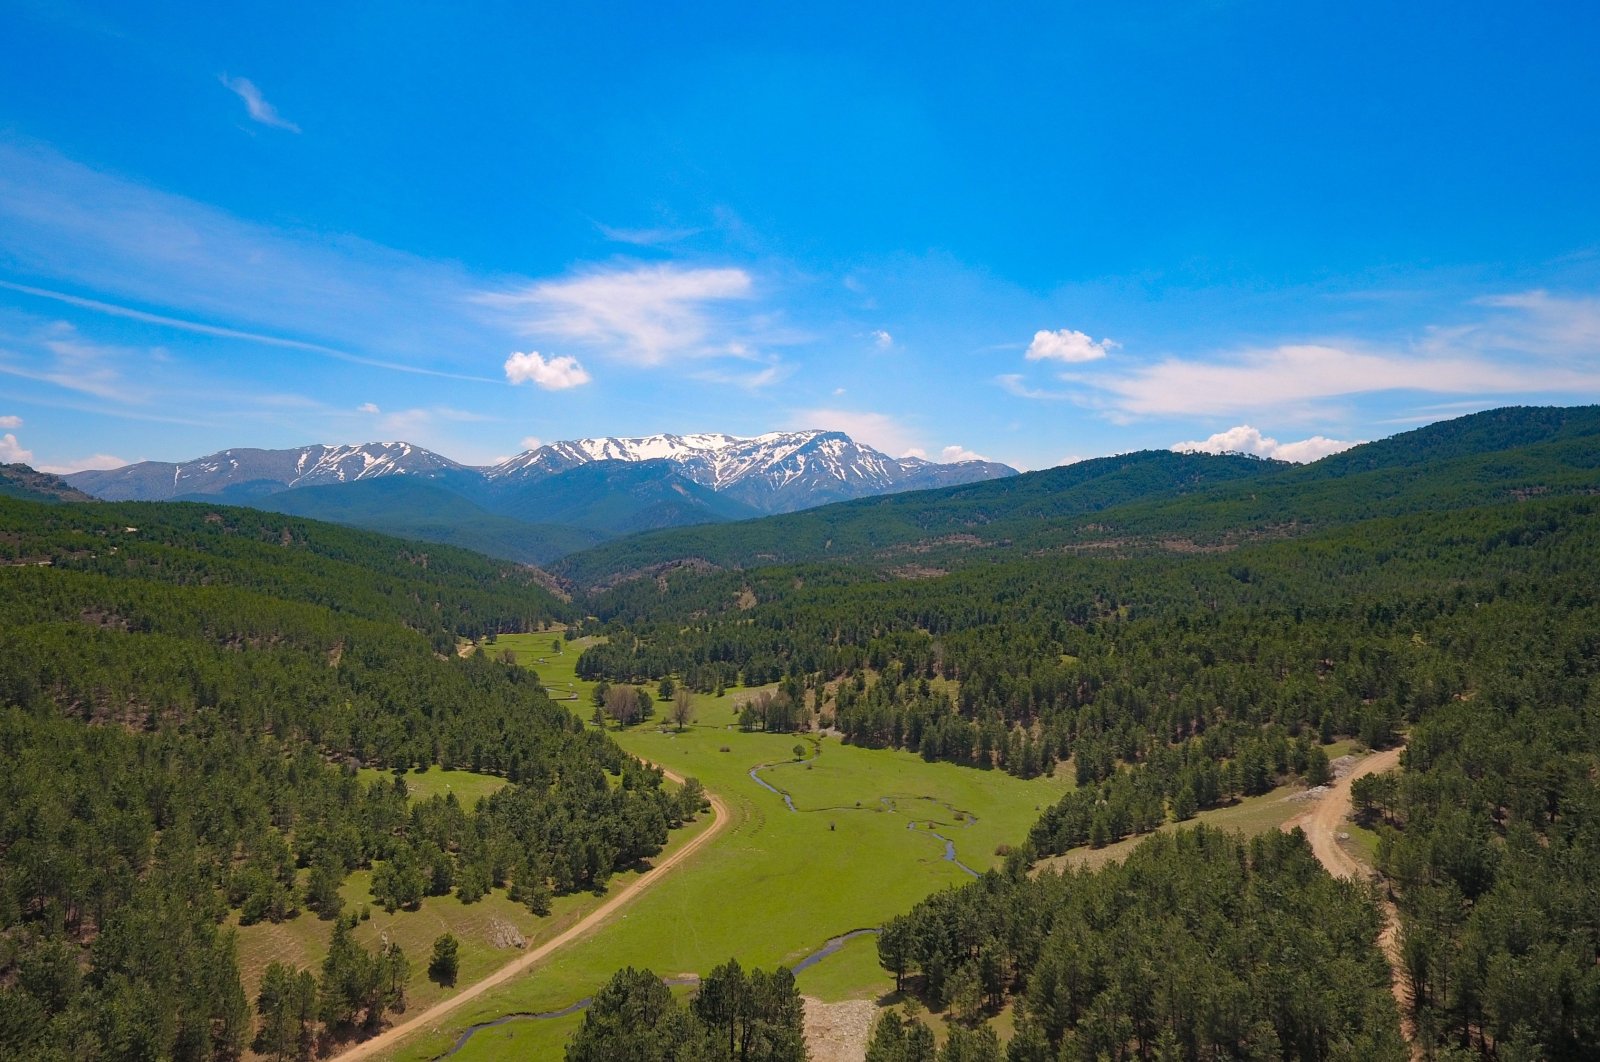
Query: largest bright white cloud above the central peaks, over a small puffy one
x,y
647,316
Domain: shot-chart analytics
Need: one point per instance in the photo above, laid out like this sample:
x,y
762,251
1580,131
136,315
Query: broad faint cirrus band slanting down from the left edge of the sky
x,y
126,250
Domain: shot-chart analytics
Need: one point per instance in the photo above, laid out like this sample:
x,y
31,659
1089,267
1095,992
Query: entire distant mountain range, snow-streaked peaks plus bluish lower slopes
x,y
545,503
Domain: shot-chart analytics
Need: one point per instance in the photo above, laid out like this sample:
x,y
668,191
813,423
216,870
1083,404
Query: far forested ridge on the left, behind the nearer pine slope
x,y
441,591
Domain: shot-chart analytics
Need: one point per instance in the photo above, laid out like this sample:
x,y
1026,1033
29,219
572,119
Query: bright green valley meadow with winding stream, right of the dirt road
x,y
863,844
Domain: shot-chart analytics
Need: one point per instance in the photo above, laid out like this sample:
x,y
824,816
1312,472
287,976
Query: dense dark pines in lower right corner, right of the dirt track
x,y
1492,837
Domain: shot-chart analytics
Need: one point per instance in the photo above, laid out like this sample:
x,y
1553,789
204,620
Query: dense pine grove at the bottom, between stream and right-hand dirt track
x,y
1226,949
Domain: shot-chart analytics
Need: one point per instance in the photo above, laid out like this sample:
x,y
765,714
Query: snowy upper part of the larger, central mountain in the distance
x,y
772,473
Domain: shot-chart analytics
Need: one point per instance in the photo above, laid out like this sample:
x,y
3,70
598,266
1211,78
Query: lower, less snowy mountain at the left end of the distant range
x,y
247,473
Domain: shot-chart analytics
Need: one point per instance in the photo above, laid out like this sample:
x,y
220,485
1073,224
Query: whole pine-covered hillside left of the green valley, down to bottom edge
x,y
186,695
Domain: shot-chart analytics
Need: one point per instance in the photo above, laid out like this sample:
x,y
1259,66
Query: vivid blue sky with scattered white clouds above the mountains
x,y
1036,234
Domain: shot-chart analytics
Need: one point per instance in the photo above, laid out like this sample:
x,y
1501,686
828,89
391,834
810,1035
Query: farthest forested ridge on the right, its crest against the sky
x,y
1148,500
